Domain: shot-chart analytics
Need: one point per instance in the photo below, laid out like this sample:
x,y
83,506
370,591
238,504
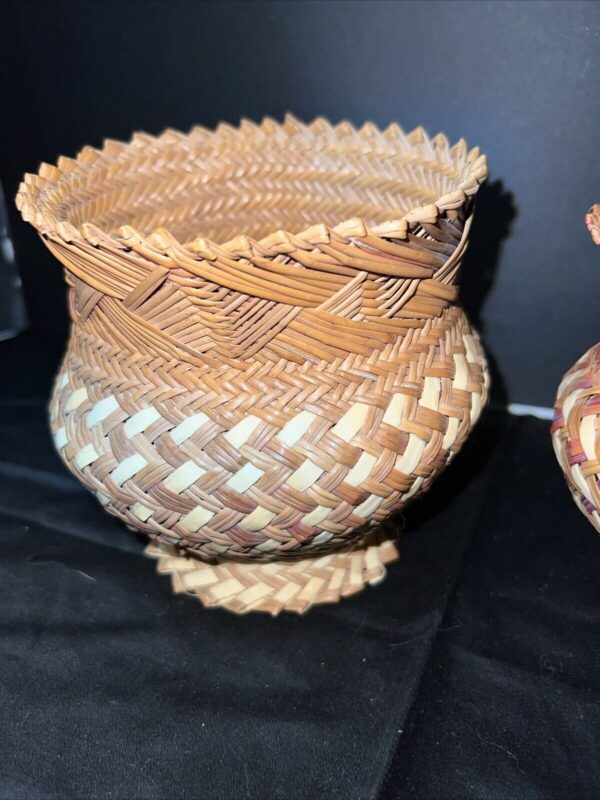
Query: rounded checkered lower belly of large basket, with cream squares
x,y
230,469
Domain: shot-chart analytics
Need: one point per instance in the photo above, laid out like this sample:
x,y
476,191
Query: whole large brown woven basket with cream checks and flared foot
x,y
253,400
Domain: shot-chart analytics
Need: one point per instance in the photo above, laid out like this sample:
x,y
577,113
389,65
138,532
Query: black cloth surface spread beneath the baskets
x,y
473,671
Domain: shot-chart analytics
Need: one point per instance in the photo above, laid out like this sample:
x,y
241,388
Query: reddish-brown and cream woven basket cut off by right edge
x,y
577,419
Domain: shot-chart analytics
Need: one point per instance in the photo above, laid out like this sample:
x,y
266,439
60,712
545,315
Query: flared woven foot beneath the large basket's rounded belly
x,y
277,586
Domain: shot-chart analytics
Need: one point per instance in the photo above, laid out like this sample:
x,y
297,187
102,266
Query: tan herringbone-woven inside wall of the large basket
x,y
255,180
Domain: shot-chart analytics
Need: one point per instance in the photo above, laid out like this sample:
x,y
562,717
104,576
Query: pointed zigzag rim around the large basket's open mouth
x,y
45,218
